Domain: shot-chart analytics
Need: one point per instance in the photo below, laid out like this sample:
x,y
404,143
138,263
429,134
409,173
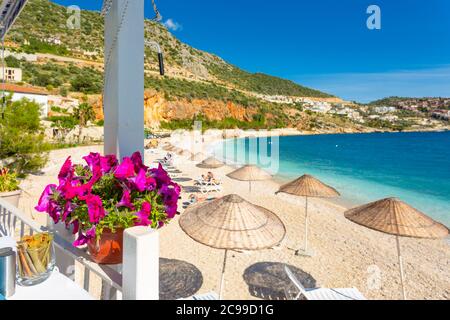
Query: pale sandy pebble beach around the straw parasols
x,y
346,255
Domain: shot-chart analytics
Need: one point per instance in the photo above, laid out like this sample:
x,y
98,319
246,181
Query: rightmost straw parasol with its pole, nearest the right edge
x,y
395,217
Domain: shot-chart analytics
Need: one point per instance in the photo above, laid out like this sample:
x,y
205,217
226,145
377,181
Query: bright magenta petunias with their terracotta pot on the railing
x,y
102,198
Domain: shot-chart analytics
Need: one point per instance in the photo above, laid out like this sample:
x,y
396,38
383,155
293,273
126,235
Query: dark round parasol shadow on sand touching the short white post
x,y
178,279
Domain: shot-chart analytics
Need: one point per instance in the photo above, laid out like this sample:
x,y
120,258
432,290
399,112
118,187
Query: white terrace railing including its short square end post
x,y
140,267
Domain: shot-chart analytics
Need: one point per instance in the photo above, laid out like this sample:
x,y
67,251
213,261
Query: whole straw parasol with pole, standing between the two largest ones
x,y
308,186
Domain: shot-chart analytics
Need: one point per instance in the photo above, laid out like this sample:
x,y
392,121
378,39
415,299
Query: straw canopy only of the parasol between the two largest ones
x,y
308,186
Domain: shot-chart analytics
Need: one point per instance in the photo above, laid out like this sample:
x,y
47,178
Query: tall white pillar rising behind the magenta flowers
x,y
124,87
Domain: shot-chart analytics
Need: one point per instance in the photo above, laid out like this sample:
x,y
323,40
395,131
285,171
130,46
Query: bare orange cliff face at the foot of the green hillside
x,y
158,109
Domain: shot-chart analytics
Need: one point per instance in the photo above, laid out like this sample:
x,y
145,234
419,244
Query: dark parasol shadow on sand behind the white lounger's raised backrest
x,y
269,281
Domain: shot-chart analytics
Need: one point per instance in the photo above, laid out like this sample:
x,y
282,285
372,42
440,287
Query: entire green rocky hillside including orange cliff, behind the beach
x,y
198,85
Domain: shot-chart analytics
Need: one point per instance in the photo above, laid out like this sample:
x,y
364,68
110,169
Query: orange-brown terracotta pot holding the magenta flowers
x,y
108,249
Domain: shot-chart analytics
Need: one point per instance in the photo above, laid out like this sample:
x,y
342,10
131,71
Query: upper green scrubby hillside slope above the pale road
x,y
43,20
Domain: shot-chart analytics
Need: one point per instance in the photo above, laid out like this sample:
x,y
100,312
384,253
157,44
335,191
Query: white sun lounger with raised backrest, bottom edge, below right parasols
x,y
321,293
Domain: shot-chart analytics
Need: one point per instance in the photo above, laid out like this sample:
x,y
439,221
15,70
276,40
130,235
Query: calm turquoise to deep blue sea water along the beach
x,y
414,167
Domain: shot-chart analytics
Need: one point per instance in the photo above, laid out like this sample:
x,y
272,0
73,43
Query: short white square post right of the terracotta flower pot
x,y
140,273
